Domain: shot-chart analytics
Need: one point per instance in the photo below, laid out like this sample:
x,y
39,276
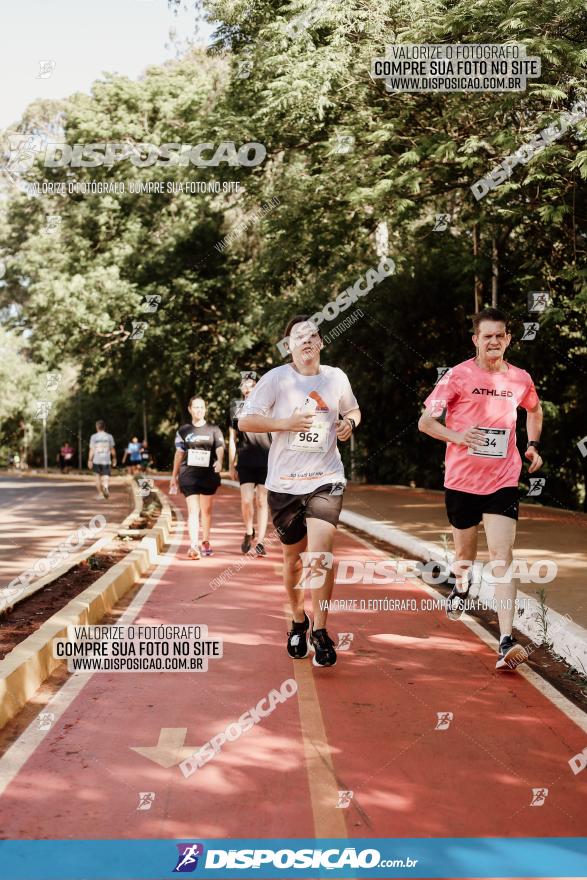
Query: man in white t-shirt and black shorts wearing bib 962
x,y
306,407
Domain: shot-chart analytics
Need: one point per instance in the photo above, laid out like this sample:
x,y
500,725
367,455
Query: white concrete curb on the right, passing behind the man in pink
x,y
569,640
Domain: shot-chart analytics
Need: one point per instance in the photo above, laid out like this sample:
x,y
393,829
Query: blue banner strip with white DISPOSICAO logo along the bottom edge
x,y
448,858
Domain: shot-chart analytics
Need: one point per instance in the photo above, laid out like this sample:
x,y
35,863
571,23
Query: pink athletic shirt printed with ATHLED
x,y
476,397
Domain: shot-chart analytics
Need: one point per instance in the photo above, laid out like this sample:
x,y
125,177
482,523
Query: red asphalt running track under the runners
x,y
366,726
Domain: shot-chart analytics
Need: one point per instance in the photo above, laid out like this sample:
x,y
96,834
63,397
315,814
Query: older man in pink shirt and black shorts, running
x,y
481,397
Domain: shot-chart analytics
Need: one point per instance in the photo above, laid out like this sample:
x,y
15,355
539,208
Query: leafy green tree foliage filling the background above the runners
x,y
343,158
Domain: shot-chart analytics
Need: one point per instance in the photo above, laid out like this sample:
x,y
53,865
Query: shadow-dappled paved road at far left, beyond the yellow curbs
x,y
37,513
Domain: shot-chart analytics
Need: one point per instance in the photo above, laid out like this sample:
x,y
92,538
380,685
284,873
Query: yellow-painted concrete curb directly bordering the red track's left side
x,y
27,666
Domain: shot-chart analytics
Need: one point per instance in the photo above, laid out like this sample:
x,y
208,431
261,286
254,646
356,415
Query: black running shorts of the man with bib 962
x,y
289,512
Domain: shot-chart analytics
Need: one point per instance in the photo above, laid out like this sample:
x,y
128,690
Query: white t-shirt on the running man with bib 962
x,y
302,461
